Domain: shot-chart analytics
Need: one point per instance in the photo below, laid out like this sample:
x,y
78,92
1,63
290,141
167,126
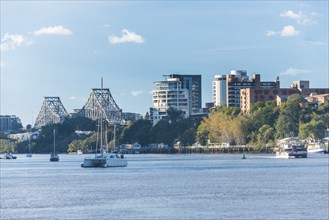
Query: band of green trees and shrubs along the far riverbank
x,y
256,131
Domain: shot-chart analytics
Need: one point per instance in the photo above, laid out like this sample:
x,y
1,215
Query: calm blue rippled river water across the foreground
x,y
189,186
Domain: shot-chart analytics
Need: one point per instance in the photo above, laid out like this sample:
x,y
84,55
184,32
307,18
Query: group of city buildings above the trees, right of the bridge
x,y
235,89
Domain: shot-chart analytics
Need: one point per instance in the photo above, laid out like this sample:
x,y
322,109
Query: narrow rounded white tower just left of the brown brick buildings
x,y
219,90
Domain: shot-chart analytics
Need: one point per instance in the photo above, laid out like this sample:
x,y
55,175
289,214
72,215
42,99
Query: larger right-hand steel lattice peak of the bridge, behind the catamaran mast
x,y
101,104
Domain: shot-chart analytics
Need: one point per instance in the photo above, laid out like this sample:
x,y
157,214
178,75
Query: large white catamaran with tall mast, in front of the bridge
x,y
103,160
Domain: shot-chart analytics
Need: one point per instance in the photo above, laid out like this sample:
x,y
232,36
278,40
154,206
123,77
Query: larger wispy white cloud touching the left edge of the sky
x,y
12,41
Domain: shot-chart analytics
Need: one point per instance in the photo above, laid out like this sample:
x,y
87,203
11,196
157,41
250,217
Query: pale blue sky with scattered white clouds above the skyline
x,y
64,48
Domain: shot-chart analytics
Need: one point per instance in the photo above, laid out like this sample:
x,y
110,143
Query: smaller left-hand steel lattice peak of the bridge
x,y
52,111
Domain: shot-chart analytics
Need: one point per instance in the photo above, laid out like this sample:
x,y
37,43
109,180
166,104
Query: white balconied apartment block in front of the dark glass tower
x,y
168,93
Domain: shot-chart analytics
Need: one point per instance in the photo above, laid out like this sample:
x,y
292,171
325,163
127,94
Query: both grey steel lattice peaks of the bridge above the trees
x,y
100,104
